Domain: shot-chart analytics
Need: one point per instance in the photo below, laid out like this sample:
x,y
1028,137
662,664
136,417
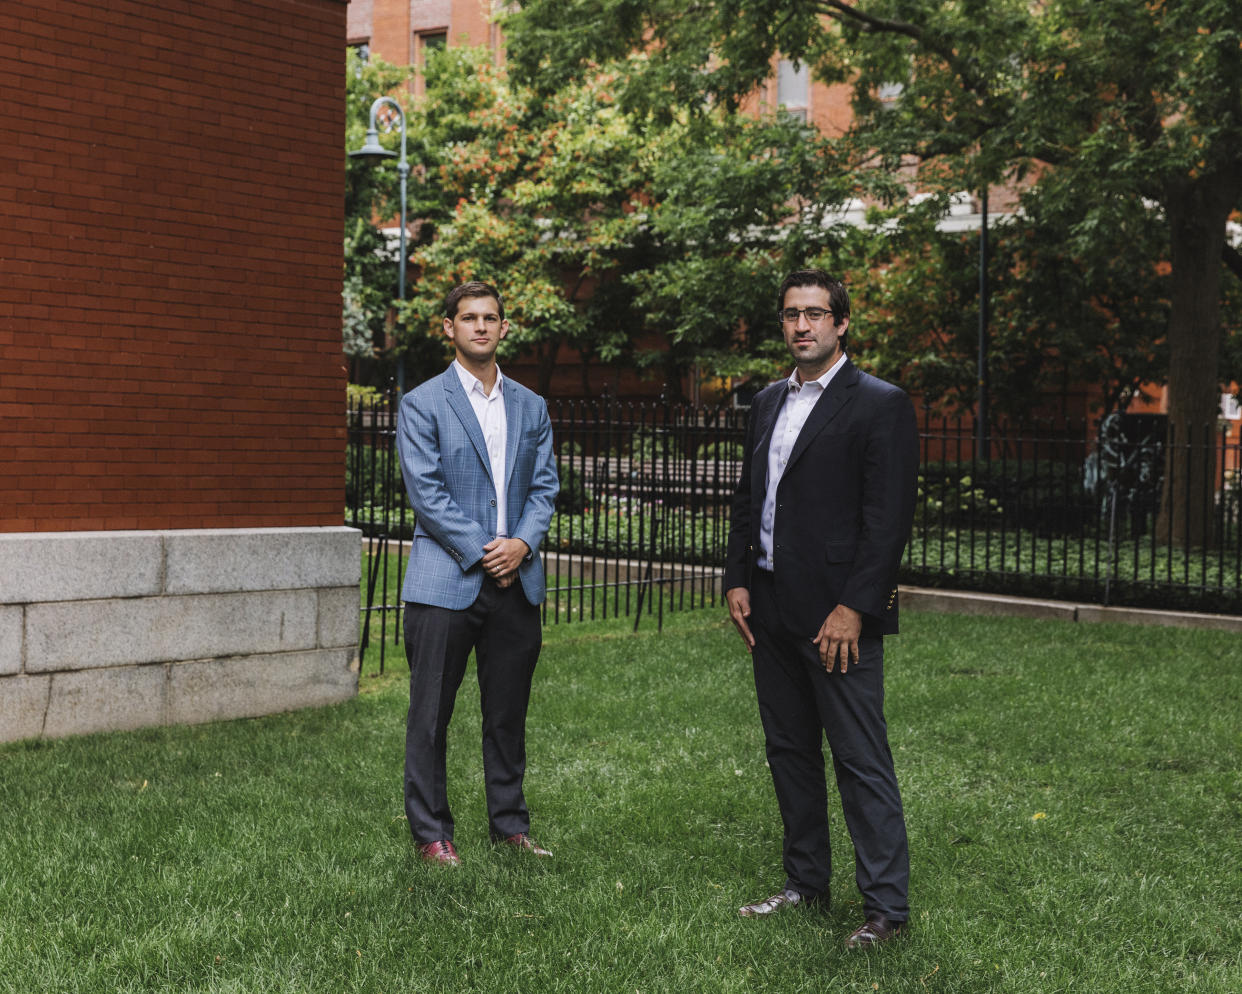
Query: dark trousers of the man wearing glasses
x,y
799,704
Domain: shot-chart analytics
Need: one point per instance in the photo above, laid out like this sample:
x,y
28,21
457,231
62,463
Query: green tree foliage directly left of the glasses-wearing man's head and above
x,y
737,202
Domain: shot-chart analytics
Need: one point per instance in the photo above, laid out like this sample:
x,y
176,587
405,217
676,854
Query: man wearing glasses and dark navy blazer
x,y
820,519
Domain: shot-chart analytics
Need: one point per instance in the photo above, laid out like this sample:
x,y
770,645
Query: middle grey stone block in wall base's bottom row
x,y
119,699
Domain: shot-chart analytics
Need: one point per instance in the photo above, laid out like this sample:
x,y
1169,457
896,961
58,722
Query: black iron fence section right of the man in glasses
x,y
1126,513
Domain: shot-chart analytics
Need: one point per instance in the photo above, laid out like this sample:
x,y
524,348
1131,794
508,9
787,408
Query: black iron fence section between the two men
x,y
644,511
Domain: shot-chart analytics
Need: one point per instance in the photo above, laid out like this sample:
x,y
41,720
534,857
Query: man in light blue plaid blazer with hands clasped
x,y
478,459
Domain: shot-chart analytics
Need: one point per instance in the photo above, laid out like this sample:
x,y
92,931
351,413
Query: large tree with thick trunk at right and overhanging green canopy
x,y
1125,100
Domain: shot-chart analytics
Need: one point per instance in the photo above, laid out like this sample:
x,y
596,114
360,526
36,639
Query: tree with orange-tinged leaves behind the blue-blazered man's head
x,y
530,196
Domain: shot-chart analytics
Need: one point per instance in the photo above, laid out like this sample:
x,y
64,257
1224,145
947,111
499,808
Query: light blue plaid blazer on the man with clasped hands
x,y
449,480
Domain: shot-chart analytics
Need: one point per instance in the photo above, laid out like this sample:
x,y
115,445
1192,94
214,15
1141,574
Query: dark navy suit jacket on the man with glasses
x,y
845,504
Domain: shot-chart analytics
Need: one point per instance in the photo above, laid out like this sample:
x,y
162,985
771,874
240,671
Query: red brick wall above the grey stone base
x,y
171,258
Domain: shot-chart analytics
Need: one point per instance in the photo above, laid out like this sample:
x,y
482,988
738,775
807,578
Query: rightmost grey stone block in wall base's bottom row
x,y
250,686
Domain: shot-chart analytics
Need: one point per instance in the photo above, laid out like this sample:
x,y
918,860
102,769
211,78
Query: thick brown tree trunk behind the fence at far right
x,y
1197,219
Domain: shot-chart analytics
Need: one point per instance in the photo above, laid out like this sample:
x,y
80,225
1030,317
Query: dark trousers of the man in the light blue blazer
x,y
504,629
